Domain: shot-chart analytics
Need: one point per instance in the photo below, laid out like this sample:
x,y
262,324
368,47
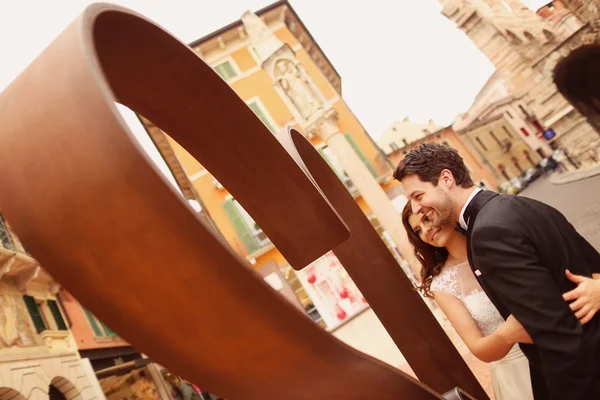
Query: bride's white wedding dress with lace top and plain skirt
x,y
510,375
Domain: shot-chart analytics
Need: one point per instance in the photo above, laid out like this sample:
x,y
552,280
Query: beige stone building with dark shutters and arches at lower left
x,y
38,353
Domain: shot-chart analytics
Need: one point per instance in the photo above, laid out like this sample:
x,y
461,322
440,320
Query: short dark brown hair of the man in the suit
x,y
428,160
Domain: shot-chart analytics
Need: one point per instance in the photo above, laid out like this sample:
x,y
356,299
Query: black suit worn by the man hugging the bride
x,y
519,249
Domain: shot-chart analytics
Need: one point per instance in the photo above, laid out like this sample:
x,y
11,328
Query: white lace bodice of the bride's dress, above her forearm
x,y
460,282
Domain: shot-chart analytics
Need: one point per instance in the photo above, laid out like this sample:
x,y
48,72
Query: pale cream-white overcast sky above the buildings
x,y
397,58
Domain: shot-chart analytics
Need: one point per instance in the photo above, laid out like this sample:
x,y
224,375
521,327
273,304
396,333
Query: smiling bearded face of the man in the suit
x,y
432,201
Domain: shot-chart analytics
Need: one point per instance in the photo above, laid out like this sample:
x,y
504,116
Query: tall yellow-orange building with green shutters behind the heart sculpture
x,y
273,63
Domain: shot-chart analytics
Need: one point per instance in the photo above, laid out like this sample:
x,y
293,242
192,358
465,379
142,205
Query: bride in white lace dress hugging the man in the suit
x,y
447,278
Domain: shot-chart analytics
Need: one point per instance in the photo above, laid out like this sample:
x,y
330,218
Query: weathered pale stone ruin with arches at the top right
x,y
525,47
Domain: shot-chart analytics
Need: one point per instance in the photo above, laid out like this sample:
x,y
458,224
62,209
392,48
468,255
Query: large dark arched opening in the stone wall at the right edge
x,y
576,77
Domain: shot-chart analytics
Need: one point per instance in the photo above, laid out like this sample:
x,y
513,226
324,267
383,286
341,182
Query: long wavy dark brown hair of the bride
x,y
431,258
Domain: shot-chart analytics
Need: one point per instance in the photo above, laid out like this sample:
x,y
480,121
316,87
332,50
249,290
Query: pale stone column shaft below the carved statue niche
x,y
368,187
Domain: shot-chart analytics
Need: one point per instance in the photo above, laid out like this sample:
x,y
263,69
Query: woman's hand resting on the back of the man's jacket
x,y
585,297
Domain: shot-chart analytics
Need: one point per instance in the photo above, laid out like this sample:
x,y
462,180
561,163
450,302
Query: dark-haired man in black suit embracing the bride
x,y
518,249
